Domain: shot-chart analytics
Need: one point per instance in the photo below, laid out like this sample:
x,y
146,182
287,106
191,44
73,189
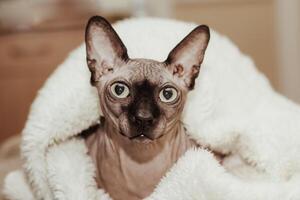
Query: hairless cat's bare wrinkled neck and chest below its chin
x,y
131,169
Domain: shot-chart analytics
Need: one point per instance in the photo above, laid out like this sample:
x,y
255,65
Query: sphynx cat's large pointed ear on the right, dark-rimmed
x,y
185,59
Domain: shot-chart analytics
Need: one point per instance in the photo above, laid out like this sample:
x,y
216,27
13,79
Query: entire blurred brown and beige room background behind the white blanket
x,y
36,35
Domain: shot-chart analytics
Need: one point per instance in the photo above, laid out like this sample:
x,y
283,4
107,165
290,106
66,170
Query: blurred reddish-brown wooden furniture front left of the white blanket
x,y
27,59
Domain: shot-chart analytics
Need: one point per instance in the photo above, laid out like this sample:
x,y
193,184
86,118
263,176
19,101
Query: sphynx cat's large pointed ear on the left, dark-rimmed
x,y
104,48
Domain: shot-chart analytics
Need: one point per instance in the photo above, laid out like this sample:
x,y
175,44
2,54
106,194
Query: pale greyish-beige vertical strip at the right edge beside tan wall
x,y
288,51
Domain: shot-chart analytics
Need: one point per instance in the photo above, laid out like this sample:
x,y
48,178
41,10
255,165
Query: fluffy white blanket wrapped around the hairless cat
x,y
233,110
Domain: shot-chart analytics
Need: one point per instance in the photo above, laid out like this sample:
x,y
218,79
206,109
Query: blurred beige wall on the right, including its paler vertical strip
x,y
267,30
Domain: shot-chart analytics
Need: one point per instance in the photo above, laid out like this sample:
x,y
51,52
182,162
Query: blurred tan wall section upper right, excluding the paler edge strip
x,y
249,23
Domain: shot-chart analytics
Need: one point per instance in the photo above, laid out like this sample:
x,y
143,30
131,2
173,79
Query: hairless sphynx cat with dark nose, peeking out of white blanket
x,y
141,135
